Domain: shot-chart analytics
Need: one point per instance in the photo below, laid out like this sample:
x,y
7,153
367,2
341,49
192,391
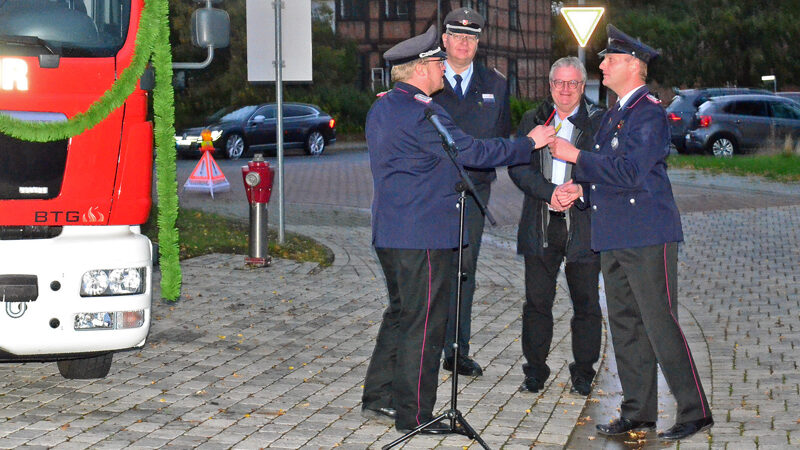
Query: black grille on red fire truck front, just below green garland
x,y
31,170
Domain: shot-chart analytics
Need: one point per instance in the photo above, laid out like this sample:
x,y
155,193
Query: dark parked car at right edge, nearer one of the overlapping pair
x,y
729,125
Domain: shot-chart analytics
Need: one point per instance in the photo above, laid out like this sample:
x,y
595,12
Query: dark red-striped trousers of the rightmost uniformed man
x,y
641,290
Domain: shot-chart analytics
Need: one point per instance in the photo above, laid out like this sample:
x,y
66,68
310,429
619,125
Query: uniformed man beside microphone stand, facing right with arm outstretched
x,y
415,228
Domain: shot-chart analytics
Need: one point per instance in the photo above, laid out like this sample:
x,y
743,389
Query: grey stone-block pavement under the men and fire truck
x,y
275,357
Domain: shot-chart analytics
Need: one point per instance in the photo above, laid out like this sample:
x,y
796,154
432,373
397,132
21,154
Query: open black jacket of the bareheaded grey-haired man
x,y
531,179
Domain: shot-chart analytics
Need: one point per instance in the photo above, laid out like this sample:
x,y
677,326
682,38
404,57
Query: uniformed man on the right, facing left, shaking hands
x,y
636,227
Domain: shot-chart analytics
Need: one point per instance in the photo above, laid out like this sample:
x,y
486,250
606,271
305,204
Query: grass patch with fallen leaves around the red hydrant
x,y
202,233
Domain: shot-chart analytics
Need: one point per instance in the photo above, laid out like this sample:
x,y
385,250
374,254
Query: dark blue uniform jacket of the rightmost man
x,y
630,193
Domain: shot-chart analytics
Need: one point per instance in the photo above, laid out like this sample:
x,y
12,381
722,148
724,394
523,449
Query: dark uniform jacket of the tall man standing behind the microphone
x,y
484,112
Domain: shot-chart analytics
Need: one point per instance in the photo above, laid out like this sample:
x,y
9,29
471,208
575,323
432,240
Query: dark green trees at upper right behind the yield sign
x,y
705,43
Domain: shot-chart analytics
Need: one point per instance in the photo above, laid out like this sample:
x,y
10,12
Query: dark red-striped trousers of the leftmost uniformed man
x,y
404,368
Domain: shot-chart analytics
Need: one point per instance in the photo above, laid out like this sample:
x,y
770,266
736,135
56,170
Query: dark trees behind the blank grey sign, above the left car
x,y
224,82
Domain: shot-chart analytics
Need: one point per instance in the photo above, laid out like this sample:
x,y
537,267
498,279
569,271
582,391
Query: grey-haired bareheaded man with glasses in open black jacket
x,y
550,231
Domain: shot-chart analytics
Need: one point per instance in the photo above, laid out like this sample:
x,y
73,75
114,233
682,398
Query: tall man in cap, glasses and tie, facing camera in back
x,y
477,100
